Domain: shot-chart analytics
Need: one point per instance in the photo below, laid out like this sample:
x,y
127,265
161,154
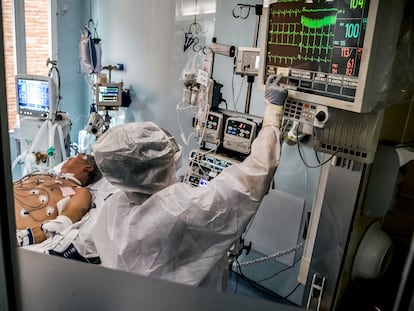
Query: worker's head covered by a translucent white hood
x,y
138,157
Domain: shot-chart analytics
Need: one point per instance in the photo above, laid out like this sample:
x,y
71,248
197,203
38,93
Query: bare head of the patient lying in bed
x,y
83,167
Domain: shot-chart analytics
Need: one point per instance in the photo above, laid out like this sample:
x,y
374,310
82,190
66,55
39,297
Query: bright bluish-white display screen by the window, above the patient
x,y
33,96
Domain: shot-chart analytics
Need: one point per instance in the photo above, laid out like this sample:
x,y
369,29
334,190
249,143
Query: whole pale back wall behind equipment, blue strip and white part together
x,y
147,36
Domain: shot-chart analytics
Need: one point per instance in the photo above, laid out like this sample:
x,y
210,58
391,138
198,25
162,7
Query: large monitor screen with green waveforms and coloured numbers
x,y
317,44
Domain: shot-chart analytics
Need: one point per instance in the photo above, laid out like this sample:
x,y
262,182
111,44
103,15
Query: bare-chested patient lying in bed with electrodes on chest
x,y
46,204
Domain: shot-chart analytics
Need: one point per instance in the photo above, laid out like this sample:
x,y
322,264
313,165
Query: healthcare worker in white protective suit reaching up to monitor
x,y
162,228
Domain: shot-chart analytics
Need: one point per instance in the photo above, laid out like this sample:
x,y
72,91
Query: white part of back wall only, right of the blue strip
x,y
148,38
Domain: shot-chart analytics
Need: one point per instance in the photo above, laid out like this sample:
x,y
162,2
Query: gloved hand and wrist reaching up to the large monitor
x,y
275,97
